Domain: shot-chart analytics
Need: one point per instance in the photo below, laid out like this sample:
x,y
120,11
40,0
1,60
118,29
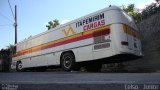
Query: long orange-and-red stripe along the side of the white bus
x,y
63,41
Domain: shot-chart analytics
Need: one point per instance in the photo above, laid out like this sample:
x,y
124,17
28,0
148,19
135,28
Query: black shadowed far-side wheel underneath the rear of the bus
x,y
94,68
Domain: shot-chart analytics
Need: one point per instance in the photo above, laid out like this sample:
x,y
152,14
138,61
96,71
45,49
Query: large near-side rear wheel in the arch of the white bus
x,y
68,61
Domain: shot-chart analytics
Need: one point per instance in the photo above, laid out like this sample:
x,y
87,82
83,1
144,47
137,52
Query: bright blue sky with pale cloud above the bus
x,y
33,15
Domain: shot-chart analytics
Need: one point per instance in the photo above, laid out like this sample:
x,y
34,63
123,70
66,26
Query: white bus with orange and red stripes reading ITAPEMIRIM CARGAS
x,y
108,35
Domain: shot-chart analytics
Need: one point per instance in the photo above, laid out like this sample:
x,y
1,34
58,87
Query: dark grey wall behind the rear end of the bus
x,y
150,31
